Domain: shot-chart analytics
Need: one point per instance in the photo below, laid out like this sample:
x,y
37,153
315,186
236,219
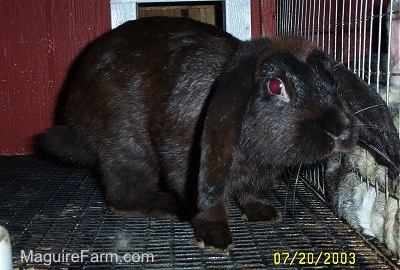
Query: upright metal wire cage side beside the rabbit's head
x,y
355,32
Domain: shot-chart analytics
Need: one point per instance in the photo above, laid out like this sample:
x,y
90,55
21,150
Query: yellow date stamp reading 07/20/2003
x,y
311,258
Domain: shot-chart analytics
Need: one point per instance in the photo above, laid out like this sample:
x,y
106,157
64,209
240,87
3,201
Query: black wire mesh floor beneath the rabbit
x,y
53,209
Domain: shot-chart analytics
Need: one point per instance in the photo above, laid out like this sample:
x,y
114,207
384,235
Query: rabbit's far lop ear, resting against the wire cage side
x,y
376,129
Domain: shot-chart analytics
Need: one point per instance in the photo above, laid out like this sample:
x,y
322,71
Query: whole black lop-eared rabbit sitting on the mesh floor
x,y
177,114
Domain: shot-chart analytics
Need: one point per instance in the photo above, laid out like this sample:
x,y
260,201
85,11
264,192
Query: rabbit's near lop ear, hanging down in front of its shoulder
x,y
227,106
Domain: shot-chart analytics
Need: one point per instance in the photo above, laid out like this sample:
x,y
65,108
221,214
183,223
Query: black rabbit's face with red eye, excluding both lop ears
x,y
296,115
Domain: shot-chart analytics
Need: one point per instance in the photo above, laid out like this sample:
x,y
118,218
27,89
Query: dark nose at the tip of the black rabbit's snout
x,y
336,124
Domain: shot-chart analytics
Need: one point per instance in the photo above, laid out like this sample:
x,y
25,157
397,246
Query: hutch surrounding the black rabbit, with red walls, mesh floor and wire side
x,y
54,213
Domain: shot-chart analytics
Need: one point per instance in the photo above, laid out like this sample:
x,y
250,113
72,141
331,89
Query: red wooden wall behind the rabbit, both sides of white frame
x,y
39,39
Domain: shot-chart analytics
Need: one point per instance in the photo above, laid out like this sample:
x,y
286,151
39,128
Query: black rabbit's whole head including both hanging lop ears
x,y
286,103
